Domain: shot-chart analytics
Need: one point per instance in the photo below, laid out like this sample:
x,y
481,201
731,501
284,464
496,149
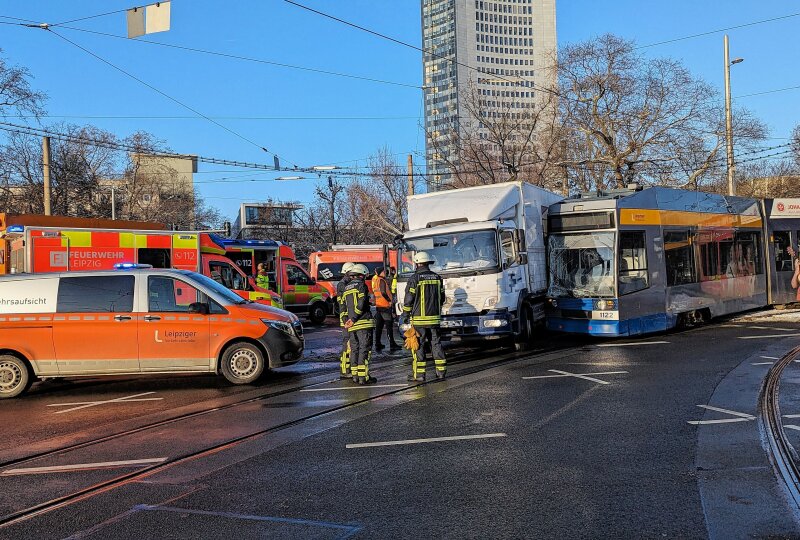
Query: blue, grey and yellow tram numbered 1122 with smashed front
x,y
636,261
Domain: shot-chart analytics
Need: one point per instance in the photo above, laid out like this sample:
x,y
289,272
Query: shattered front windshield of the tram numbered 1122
x,y
582,265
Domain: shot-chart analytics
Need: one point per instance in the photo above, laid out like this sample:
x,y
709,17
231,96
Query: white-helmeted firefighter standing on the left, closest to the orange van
x,y
359,322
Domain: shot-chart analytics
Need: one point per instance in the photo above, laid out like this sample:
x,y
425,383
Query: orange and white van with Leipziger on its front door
x,y
136,321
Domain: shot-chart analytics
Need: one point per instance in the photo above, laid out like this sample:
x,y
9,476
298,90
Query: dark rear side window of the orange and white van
x,y
93,294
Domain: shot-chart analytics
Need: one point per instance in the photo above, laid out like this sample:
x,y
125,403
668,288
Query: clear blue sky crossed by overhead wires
x,y
273,30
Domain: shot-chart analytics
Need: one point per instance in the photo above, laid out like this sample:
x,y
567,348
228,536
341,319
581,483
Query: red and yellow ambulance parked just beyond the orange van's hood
x,y
300,293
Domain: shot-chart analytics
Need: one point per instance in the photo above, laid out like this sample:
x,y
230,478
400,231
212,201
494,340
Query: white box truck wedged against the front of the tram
x,y
489,247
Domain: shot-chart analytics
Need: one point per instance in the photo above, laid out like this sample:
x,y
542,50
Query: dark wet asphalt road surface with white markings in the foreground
x,y
536,452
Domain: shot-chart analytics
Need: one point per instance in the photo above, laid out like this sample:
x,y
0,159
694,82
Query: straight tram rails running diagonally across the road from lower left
x,y
127,478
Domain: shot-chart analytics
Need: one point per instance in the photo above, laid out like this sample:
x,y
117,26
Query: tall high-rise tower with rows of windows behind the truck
x,y
499,49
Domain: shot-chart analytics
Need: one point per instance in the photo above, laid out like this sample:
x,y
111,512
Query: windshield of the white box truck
x,y
473,252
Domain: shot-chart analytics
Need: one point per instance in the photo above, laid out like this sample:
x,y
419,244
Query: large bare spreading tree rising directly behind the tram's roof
x,y
628,118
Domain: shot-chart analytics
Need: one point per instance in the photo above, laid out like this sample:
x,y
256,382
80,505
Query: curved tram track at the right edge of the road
x,y
782,455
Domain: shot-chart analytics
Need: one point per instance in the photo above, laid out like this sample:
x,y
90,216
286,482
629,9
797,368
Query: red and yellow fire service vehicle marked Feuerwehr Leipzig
x,y
36,249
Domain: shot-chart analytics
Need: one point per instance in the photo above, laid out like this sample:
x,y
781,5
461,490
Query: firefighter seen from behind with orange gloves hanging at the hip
x,y
423,304
